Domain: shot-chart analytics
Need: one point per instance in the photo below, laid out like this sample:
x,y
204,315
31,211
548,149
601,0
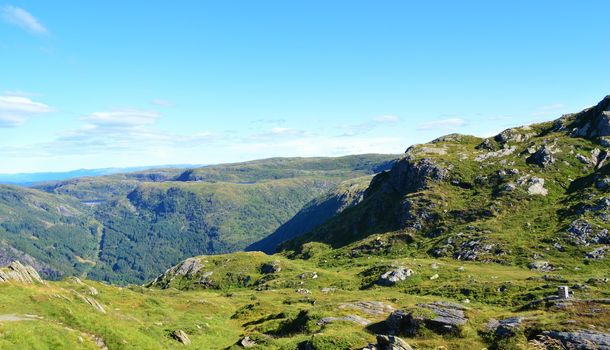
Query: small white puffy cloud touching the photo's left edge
x,y
15,110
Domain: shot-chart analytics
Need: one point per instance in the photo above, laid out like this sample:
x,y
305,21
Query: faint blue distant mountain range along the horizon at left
x,y
27,179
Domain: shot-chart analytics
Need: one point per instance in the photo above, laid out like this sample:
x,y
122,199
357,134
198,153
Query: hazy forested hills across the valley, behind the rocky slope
x,y
128,228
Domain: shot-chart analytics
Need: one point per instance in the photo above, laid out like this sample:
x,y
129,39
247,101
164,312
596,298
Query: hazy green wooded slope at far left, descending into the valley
x,y
55,234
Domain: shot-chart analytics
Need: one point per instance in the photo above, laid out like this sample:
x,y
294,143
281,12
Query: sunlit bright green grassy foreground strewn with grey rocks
x,y
217,301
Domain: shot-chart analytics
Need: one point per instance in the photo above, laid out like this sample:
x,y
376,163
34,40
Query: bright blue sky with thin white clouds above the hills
x,y
129,83
